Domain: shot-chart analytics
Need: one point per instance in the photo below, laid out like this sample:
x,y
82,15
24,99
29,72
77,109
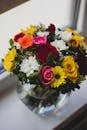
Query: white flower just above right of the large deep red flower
x,y
59,44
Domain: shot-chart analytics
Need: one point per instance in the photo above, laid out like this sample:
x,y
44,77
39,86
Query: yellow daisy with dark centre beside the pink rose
x,y
59,77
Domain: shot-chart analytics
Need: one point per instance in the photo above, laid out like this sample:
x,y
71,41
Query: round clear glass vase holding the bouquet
x,y
42,105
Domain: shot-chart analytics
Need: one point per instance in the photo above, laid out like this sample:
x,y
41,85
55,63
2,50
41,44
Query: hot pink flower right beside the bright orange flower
x,y
40,40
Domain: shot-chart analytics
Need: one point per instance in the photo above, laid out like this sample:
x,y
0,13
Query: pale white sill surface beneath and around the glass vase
x,y
14,115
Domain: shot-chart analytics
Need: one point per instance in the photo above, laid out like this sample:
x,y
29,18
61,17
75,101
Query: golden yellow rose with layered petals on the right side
x,y
70,68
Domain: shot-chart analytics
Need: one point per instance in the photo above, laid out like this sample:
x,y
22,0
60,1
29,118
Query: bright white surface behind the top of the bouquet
x,y
59,12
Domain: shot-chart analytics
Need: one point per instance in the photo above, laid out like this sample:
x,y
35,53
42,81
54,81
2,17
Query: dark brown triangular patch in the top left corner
x,y
5,5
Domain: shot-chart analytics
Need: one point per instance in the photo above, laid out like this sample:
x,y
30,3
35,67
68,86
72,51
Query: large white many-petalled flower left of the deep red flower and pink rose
x,y
29,65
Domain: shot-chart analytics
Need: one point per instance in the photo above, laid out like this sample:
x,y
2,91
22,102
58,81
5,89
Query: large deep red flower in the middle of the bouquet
x,y
42,52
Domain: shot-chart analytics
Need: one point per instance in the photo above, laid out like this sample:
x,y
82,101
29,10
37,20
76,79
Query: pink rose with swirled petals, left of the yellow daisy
x,y
47,75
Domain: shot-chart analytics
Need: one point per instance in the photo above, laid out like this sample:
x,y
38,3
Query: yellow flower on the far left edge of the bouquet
x,y
8,61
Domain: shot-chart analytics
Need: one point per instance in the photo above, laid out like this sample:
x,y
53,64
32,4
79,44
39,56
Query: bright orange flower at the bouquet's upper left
x,y
26,41
